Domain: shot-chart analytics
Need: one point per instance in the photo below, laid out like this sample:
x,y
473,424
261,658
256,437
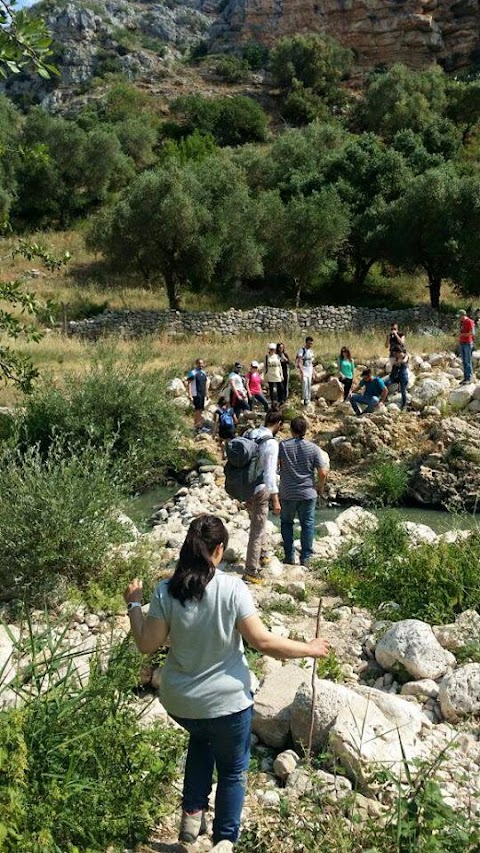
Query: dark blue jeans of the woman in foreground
x,y
223,742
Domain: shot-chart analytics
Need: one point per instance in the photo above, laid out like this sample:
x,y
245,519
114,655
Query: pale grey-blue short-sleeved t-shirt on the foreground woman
x,y
205,674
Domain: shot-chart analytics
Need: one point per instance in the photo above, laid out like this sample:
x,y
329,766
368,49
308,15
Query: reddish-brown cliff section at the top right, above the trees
x,y
414,32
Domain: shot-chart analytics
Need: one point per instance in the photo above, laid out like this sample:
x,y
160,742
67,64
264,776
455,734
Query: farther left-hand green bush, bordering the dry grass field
x,y
115,406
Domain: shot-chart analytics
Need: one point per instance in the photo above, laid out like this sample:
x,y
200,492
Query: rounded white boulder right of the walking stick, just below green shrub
x,y
413,644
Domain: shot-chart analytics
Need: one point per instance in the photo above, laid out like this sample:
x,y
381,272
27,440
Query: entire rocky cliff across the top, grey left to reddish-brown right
x,y
138,37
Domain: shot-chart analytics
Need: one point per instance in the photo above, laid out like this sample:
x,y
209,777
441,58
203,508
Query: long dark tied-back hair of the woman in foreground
x,y
195,568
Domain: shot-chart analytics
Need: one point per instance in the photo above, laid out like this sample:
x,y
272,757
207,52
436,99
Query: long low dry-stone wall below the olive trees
x,y
262,319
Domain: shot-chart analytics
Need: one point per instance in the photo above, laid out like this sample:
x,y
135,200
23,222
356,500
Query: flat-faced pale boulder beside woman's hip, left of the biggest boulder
x,y
273,704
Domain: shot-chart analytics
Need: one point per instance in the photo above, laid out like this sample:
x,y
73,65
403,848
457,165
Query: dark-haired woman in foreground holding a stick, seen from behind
x,y
205,680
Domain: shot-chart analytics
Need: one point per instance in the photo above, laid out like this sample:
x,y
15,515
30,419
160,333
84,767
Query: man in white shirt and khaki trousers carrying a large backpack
x,y
251,476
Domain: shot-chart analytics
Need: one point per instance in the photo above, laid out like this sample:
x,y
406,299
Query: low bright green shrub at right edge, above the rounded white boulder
x,y
433,583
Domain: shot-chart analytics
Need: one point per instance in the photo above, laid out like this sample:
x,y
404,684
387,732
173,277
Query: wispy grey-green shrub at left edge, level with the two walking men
x,y
58,521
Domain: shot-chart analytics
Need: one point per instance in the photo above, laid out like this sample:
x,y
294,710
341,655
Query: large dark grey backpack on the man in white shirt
x,y
242,471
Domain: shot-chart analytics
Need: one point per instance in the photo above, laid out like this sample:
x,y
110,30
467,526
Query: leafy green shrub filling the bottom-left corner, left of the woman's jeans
x,y
77,770
